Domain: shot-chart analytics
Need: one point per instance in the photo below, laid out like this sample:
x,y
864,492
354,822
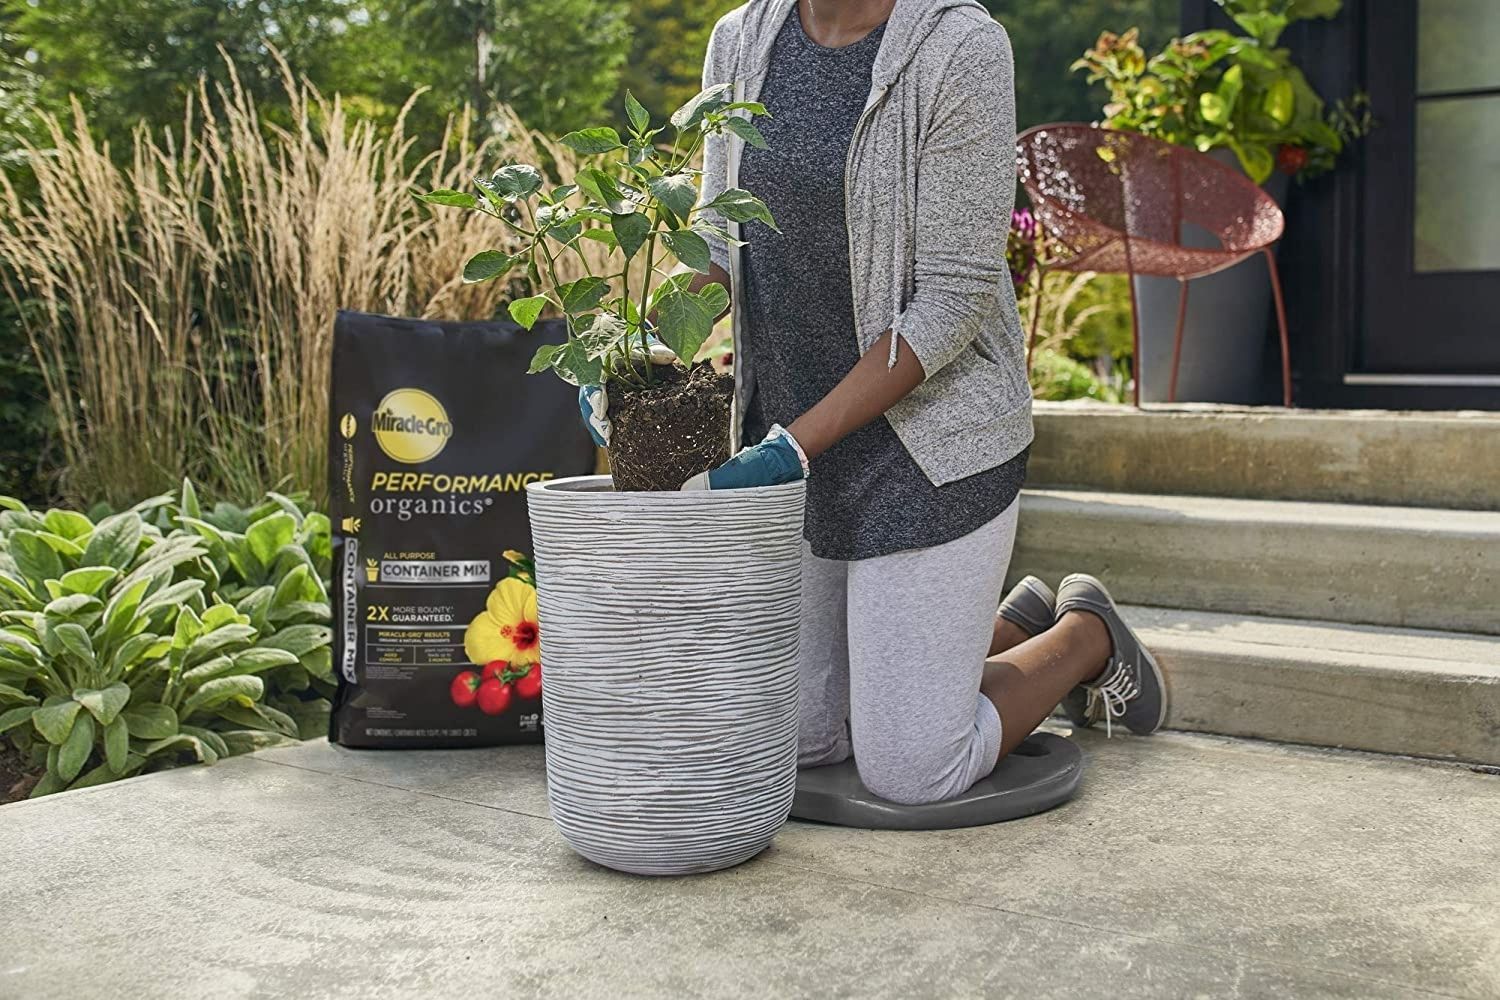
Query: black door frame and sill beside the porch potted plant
x,y
1322,253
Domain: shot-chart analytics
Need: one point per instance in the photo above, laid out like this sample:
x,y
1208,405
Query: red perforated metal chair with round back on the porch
x,y
1115,203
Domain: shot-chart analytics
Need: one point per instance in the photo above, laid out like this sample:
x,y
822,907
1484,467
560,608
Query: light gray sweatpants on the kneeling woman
x,y
892,656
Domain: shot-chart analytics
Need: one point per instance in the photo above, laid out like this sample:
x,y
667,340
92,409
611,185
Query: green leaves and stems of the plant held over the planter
x,y
638,199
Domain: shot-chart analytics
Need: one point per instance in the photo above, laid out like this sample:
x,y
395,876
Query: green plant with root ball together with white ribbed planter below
x,y
668,618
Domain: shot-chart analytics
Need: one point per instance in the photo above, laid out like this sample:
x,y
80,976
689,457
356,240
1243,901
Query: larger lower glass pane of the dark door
x,y
1457,178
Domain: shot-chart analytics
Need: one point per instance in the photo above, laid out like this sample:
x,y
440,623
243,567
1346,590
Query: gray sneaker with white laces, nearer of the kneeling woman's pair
x,y
1132,689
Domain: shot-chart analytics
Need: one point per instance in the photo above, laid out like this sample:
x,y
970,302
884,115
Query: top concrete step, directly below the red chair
x,y
1448,461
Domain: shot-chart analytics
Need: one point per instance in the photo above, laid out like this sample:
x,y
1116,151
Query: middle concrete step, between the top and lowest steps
x,y
1384,566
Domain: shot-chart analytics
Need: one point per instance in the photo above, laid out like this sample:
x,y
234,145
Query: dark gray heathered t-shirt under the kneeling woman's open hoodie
x,y
866,497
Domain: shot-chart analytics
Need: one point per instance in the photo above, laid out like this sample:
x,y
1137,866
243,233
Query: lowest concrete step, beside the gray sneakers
x,y
1328,684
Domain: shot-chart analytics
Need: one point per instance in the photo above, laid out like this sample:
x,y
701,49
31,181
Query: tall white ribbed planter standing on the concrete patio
x,y
670,627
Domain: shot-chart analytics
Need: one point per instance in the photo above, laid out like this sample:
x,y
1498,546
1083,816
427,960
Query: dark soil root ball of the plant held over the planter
x,y
671,431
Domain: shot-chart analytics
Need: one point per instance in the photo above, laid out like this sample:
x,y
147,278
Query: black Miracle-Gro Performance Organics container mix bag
x,y
436,430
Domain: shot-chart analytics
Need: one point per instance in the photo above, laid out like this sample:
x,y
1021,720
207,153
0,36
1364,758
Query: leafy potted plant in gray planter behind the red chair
x,y
1238,98
